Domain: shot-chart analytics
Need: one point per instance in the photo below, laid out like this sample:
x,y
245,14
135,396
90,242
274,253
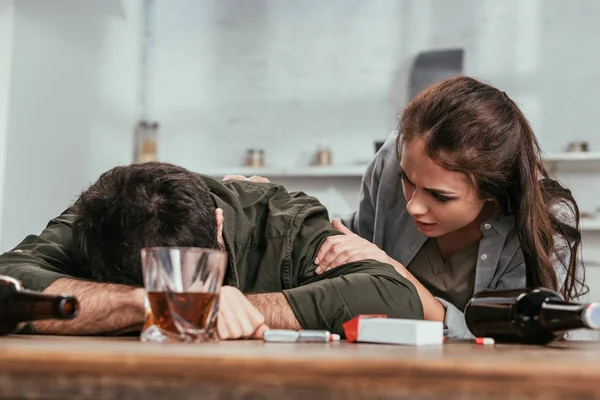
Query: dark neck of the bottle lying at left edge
x,y
24,305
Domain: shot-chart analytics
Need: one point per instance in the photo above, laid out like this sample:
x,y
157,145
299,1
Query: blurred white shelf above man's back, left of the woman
x,y
332,171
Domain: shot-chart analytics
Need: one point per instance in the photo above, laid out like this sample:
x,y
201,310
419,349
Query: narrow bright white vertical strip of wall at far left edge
x,y
6,48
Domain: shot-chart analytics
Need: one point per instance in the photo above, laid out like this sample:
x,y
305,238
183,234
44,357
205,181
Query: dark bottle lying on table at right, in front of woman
x,y
534,316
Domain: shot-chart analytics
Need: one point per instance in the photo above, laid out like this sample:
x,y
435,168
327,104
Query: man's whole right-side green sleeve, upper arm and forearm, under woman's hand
x,y
327,301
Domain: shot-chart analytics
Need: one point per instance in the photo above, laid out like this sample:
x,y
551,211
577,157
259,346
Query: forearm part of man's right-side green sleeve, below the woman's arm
x,y
365,287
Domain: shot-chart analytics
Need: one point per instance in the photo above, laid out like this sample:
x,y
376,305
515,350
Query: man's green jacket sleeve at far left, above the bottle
x,y
41,259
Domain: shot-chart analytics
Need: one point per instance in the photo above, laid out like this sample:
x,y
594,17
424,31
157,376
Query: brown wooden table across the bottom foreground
x,y
118,368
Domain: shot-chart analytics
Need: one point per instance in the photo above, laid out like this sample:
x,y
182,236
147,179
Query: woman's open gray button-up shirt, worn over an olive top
x,y
382,219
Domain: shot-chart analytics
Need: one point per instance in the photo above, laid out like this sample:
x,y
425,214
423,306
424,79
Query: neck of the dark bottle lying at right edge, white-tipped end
x,y
563,316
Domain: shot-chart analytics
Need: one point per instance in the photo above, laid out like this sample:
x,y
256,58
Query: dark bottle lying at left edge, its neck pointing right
x,y
18,305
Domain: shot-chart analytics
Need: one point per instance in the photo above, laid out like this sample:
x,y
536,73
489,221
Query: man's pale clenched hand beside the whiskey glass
x,y
238,318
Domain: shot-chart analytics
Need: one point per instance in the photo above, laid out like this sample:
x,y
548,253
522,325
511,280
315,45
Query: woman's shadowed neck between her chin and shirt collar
x,y
453,242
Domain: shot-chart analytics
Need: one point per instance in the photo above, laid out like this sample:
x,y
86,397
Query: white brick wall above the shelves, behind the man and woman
x,y
293,74
